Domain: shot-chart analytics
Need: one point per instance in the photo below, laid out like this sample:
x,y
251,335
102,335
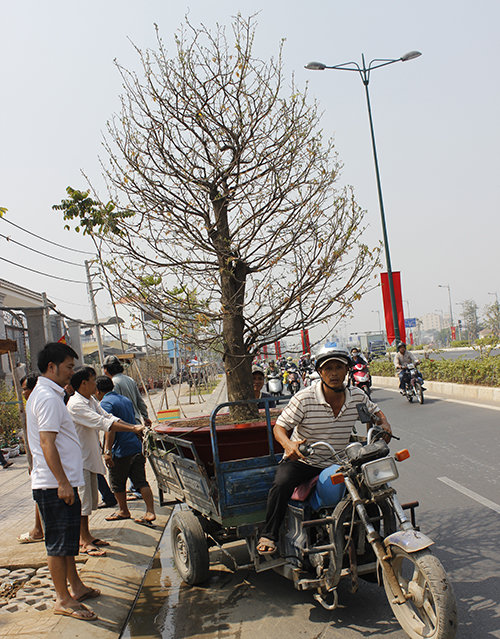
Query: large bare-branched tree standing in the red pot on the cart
x,y
228,192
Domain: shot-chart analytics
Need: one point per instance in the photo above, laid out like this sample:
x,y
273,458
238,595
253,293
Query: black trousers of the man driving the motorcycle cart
x,y
289,475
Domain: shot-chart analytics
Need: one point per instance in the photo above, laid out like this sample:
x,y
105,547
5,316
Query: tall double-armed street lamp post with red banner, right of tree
x,y
364,73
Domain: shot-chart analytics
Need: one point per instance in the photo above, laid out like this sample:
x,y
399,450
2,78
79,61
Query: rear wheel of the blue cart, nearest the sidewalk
x,y
189,547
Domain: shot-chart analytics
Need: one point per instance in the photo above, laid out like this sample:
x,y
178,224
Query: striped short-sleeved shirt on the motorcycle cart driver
x,y
309,416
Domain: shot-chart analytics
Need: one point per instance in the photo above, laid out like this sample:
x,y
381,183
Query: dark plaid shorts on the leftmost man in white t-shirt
x,y
61,522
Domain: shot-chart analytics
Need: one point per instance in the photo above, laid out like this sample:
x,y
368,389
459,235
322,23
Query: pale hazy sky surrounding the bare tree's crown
x,y
435,120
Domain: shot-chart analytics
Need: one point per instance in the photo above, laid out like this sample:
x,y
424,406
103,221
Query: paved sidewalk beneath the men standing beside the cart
x,y
119,575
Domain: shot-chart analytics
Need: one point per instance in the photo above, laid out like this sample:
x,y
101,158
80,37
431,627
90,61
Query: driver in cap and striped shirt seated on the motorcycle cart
x,y
327,412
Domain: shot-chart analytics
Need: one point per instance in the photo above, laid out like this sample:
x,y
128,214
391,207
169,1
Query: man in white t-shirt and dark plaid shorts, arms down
x,y
57,474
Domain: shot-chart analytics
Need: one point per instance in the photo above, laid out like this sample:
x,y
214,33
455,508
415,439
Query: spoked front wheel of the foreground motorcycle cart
x,y
430,611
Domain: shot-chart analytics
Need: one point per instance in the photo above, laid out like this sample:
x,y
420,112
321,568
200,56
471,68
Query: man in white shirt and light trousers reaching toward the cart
x,y
90,418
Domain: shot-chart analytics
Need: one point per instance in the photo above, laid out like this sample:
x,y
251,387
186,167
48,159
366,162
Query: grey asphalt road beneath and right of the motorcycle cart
x,y
454,449
